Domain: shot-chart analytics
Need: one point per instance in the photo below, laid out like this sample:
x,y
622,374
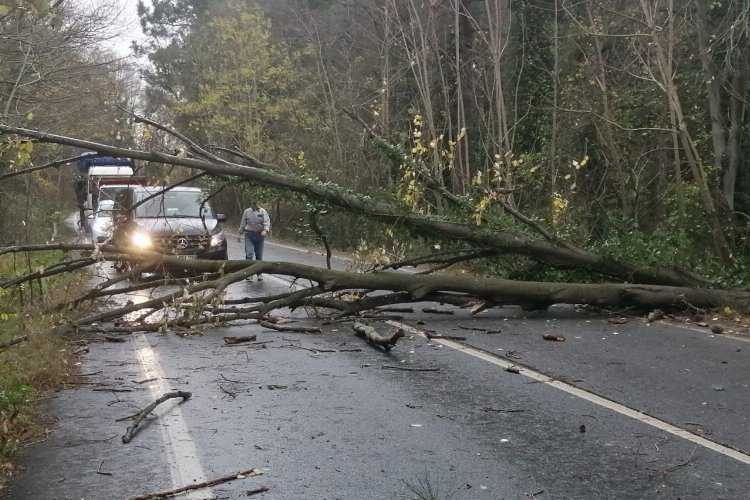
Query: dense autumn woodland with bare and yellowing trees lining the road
x,y
619,126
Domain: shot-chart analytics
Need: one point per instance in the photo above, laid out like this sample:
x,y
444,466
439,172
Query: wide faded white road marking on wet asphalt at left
x,y
185,467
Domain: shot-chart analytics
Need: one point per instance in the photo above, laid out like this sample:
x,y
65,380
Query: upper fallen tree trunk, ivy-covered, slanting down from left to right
x,y
500,241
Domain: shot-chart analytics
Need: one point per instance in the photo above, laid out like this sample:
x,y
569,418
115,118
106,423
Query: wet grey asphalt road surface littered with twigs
x,y
615,411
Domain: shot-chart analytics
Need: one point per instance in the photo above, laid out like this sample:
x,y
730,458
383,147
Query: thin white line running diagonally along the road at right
x,y
583,394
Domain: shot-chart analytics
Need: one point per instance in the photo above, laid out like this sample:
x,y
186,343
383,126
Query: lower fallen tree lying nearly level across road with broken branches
x,y
199,300
